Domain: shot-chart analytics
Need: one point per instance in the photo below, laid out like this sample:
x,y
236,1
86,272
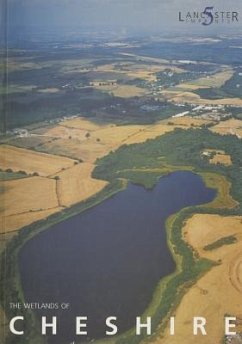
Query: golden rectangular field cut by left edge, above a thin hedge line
x,y
28,194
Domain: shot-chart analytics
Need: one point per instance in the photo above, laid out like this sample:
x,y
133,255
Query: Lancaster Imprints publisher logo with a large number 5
x,y
209,16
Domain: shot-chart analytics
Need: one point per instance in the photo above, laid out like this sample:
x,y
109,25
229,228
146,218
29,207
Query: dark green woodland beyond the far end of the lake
x,y
180,147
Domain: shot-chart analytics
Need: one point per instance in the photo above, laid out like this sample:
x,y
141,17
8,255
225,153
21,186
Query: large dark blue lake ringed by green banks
x,y
108,260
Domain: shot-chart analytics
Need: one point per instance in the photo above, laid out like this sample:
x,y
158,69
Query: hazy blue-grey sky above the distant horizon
x,y
157,16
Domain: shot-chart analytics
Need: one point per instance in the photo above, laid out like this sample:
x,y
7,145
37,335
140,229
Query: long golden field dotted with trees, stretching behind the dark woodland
x,y
81,139
